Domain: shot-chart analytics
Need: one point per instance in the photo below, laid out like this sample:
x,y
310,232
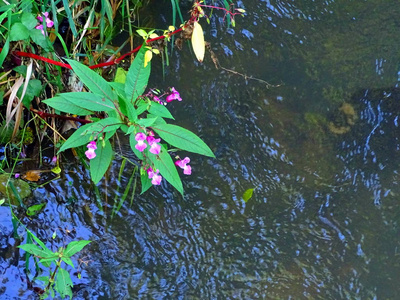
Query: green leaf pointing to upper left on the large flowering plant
x,y
92,80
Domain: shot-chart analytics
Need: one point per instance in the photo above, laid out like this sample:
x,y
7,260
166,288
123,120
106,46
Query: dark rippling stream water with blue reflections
x,y
321,149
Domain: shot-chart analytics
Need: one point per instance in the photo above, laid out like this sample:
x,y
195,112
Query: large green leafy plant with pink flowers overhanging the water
x,y
125,107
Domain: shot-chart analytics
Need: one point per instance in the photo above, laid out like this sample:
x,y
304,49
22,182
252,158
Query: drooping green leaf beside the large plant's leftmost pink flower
x,y
100,164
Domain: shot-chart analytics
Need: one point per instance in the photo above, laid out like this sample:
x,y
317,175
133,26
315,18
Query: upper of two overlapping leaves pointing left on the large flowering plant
x,y
89,101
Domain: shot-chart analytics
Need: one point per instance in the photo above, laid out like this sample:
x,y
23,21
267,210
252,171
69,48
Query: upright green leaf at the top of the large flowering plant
x,y
138,77
